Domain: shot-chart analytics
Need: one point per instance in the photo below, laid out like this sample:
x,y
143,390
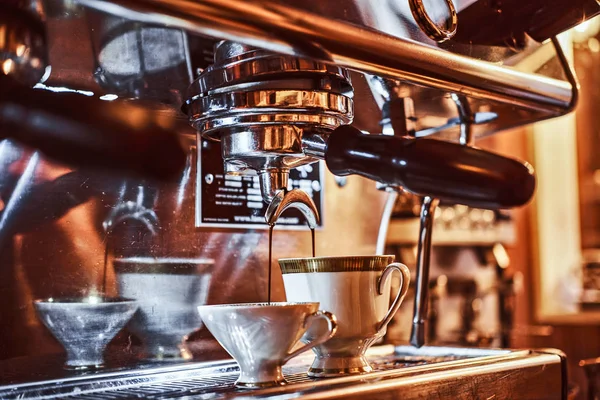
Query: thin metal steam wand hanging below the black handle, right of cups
x,y
417,335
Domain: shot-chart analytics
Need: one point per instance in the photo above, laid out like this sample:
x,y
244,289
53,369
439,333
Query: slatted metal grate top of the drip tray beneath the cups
x,y
216,379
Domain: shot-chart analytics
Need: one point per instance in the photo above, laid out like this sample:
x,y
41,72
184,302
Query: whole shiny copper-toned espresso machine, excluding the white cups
x,y
142,134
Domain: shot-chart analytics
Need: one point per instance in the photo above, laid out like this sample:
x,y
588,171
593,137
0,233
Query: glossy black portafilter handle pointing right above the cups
x,y
448,171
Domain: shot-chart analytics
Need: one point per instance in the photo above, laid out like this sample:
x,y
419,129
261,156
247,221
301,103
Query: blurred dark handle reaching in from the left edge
x,y
86,132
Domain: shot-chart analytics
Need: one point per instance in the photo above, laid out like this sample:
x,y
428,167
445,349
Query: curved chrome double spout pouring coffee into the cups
x,y
297,199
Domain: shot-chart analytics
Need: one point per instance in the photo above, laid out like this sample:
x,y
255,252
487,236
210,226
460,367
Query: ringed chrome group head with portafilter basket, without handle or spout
x,y
261,104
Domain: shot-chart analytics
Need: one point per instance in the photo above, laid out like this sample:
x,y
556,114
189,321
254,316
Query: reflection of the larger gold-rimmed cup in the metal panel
x,y
168,291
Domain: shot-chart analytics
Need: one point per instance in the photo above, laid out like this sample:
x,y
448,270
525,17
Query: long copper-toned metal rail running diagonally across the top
x,y
287,30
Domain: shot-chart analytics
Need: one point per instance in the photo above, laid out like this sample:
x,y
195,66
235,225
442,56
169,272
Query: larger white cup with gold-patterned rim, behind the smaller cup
x,y
357,290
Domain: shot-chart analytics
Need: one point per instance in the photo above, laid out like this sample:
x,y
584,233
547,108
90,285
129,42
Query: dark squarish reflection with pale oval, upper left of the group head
x,y
140,61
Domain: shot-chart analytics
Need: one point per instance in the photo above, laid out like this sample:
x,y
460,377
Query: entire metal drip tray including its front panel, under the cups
x,y
399,372
